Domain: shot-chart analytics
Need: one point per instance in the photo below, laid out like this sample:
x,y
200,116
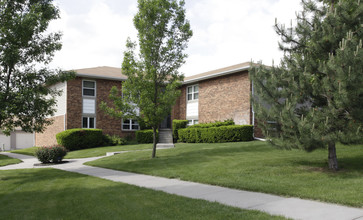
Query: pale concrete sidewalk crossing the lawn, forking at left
x,y
276,205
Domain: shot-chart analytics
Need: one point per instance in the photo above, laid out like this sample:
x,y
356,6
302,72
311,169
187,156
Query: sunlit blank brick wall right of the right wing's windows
x,y
225,97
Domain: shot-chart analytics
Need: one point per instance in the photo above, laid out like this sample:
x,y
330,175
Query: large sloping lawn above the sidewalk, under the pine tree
x,y
255,166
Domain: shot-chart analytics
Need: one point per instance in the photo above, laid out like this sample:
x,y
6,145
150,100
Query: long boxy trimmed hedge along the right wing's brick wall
x,y
232,133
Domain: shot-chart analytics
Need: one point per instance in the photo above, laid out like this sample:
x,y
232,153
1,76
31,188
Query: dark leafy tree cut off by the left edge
x,y
24,46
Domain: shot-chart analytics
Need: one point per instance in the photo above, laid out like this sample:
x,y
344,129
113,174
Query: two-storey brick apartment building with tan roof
x,y
218,95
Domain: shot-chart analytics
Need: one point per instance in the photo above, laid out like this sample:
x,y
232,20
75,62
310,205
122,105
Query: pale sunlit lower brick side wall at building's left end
x,y
48,136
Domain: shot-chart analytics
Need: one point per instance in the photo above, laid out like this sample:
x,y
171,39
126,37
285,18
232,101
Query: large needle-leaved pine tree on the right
x,y
314,98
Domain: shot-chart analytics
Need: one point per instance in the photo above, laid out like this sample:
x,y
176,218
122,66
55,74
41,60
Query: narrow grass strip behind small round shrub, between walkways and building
x,y
92,152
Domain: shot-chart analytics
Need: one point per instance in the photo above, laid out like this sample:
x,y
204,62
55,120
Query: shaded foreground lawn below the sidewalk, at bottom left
x,y
54,194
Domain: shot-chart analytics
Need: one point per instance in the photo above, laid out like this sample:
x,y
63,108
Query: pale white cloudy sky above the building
x,y
225,32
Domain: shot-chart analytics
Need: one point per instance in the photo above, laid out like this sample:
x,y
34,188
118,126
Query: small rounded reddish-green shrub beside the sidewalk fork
x,y
52,154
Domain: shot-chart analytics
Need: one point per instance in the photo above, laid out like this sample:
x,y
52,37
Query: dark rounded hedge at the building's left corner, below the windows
x,y
75,139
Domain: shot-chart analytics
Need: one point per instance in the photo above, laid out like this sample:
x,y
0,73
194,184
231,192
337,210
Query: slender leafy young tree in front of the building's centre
x,y
153,76
